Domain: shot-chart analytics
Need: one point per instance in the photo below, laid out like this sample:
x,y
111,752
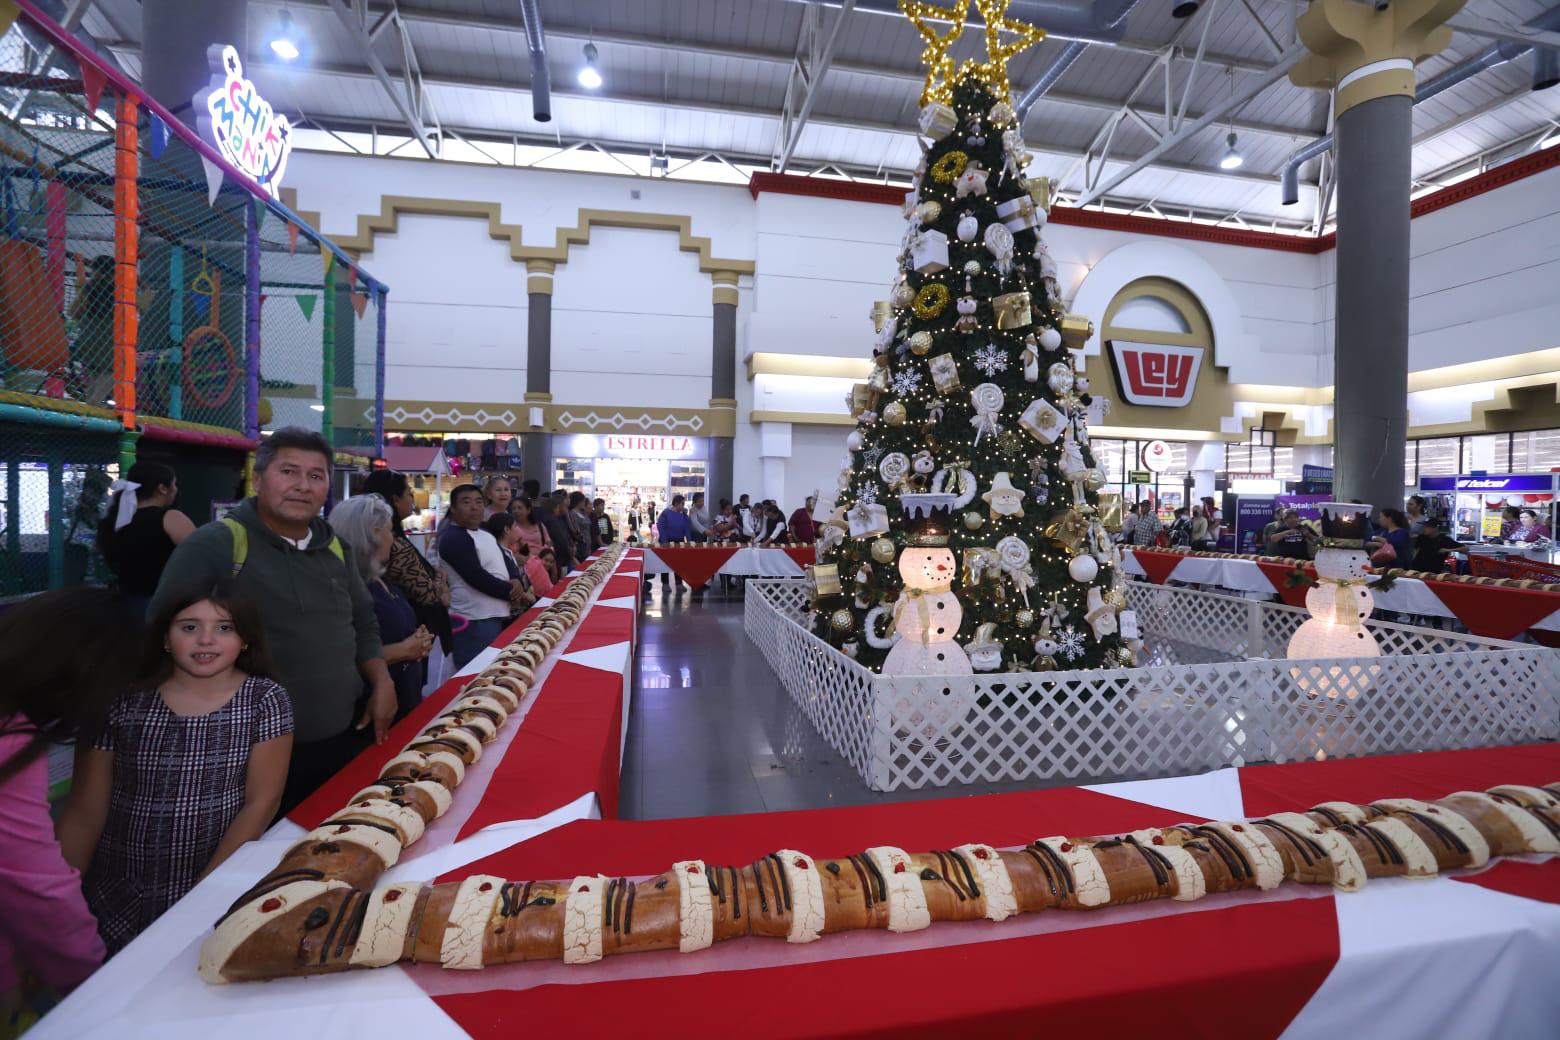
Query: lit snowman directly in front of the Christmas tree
x,y
927,615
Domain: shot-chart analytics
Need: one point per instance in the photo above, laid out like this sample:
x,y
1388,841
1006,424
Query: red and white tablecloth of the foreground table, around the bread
x,y
1466,955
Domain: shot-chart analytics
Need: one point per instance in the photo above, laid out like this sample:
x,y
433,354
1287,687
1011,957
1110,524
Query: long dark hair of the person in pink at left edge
x,y
65,656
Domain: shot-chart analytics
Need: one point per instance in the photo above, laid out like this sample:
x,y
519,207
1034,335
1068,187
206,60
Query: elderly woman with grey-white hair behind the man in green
x,y
364,525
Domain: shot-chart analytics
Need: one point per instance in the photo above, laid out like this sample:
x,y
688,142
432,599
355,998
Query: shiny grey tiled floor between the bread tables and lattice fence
x,y
712,732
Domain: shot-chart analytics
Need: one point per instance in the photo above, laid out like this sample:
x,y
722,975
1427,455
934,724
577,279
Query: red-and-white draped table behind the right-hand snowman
x,y
1486,610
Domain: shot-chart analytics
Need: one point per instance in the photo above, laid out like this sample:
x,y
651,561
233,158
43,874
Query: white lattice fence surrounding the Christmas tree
x,y
1180,715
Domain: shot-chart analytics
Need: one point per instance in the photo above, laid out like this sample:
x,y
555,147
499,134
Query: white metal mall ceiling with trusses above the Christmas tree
x,y
831,88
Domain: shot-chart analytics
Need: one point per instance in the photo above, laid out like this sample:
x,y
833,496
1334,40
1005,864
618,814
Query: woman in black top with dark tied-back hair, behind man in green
x,y
141,529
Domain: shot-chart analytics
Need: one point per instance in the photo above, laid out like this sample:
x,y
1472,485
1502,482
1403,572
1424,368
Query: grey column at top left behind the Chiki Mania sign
x,y
175,37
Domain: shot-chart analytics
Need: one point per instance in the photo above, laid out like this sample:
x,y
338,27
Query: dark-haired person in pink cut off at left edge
x,y
65,656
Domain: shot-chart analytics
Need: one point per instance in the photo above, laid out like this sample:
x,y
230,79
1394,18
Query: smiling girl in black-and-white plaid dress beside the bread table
x,y
190,768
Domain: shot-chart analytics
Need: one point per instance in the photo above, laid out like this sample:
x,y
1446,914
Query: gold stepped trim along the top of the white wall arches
x,y
394,207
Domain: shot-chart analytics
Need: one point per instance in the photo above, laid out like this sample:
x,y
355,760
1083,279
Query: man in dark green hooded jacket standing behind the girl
x,y
319,617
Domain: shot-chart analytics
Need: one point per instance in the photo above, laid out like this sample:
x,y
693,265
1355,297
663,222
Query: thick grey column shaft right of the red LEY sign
x,y
1370,423
